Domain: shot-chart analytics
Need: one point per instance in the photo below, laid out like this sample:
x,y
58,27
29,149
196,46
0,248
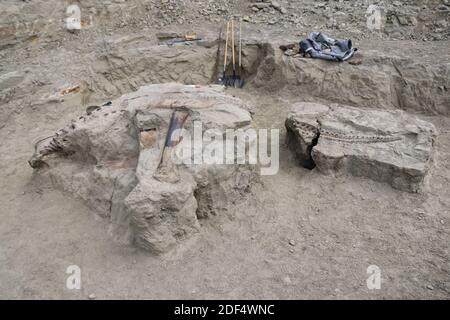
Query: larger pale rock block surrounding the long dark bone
x,y
108,158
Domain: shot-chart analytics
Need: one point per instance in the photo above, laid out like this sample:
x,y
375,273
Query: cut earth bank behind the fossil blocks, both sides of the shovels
x,y
381,81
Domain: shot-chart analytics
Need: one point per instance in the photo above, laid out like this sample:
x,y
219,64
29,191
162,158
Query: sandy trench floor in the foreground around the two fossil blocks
x,y
340,226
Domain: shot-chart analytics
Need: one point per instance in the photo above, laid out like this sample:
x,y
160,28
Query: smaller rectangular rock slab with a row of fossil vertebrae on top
x,y
385,146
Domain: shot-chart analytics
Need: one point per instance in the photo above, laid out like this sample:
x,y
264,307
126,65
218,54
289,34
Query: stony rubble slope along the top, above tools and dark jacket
x,y
39,21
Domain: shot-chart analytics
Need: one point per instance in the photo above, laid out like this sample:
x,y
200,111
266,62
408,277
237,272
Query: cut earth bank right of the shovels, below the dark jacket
x,y
384,81
